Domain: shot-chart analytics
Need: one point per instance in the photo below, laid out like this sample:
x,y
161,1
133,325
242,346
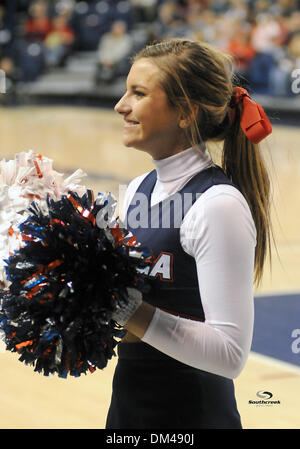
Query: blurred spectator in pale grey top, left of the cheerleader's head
x,y
114,50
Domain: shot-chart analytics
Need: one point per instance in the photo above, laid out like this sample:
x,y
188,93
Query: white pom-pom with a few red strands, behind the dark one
x,y
29,177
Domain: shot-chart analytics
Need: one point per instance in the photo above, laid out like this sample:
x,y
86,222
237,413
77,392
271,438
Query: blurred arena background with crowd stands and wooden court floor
x,y
60,91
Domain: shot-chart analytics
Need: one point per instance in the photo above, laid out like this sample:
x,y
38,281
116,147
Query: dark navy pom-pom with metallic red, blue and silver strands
x,y
66,282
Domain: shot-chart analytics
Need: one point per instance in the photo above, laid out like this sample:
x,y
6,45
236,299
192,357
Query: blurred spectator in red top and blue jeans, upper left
x,y
58,42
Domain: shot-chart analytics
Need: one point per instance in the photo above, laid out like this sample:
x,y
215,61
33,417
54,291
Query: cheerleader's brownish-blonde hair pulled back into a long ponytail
x,y
195,73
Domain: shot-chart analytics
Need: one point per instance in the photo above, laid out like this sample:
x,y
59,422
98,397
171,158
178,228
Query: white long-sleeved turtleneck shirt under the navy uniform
x,y
219,232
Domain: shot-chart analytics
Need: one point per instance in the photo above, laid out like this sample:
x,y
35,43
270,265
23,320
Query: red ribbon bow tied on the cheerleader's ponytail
x,y
254,121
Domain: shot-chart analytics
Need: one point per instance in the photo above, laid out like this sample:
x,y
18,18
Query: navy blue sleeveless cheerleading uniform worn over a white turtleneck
x,y
150,389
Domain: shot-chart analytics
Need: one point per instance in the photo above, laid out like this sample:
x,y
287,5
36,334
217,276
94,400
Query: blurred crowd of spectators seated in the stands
x,y
37,36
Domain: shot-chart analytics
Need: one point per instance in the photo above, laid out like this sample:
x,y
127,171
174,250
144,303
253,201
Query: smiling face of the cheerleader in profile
x,y
150,124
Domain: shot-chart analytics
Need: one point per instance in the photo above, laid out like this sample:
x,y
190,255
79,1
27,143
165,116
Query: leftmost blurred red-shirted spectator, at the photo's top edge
x,y
38,24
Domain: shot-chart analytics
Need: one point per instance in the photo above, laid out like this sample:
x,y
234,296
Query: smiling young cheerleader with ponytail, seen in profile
x,y
190,336
